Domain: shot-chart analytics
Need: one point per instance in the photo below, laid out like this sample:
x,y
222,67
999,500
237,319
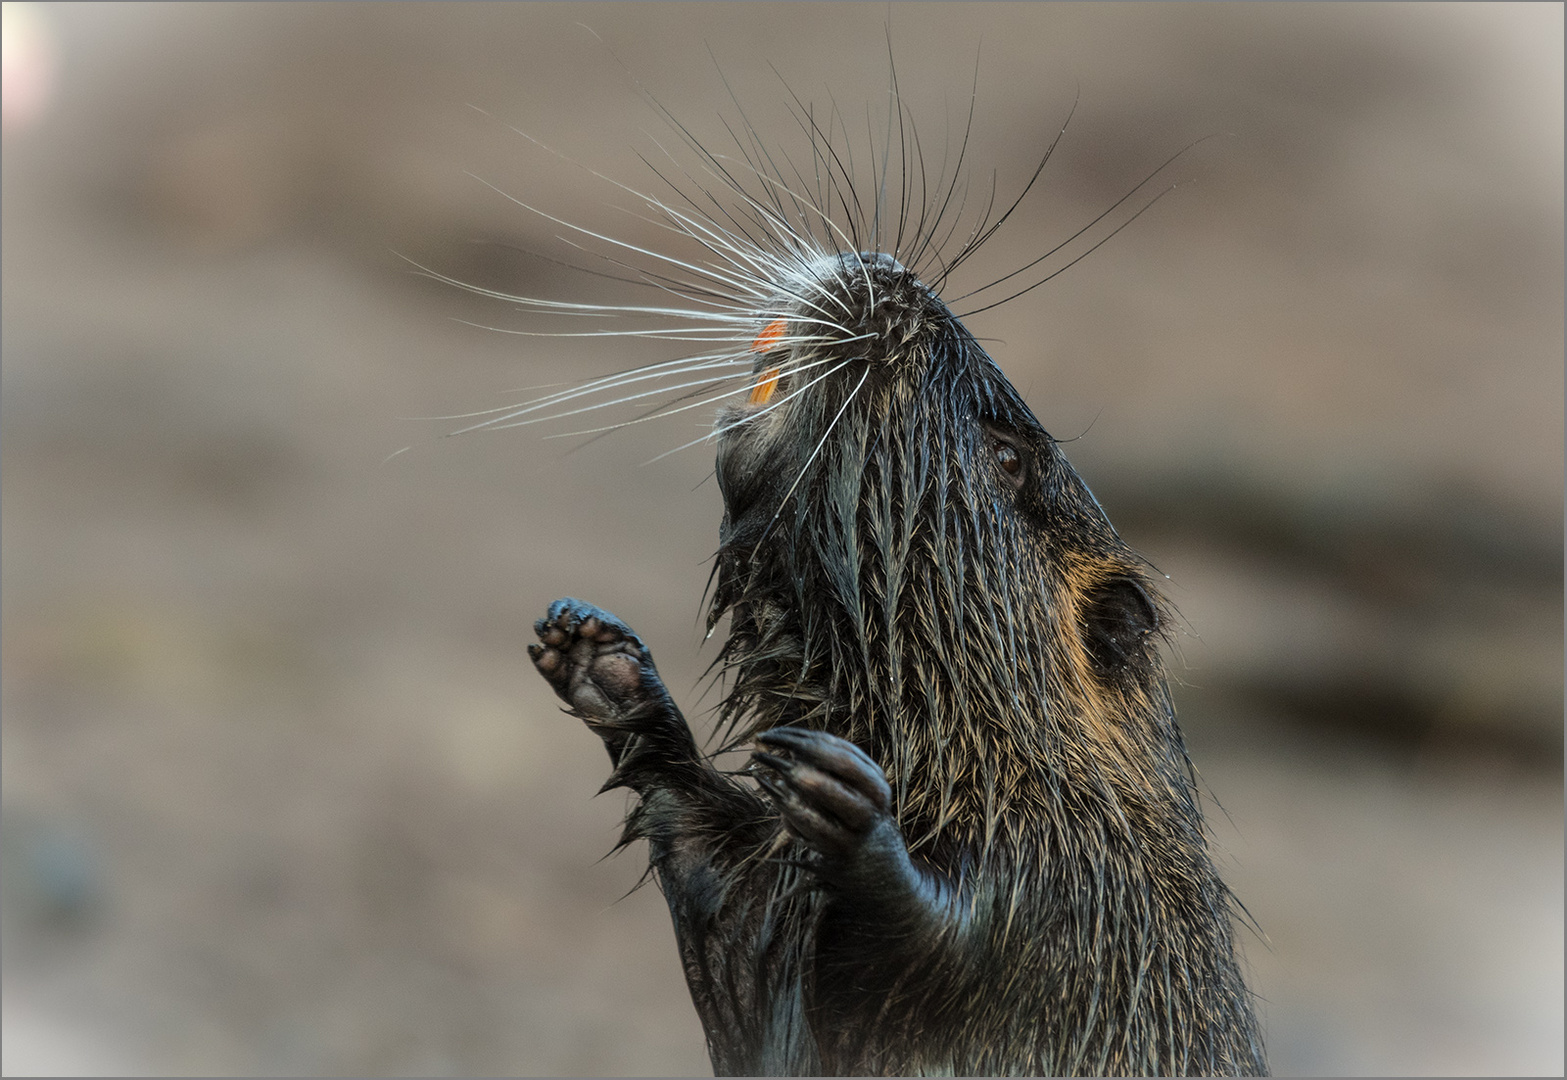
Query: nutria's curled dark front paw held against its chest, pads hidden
x,y
827,789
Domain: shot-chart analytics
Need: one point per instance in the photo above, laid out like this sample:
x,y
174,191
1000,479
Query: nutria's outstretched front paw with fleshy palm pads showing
x,y
595,662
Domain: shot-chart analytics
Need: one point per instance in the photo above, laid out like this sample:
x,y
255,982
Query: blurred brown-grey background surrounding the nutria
x,y
281,792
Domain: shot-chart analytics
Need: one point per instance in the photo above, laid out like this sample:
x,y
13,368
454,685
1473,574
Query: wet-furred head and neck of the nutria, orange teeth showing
x,y
911,564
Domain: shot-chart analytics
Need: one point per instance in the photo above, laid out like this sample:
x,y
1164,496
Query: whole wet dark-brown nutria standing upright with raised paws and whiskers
x,y
969,838
